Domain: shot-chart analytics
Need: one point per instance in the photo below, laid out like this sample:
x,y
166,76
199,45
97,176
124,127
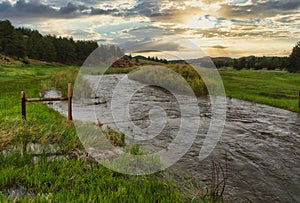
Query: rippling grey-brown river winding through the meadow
x,y
261,143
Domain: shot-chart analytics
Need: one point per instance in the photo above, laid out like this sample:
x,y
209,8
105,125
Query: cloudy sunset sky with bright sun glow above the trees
x,y
170,29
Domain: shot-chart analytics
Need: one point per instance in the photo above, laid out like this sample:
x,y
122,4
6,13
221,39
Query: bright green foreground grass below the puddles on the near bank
x,y
73,180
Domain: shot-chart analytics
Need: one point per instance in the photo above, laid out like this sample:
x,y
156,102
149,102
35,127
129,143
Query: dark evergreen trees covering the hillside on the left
x,y
25,43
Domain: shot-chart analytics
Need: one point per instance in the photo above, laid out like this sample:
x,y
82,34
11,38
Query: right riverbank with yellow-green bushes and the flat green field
x,y
275,88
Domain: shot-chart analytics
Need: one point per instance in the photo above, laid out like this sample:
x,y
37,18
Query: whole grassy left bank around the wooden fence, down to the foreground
x,y
65,178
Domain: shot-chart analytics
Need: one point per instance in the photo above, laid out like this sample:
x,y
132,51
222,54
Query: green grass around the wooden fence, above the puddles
x,y
44,125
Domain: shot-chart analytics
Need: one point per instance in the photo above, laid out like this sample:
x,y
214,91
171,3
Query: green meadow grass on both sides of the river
x,y
67,178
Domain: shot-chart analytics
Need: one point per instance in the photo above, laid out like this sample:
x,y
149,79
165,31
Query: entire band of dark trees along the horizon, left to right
x,y
25,43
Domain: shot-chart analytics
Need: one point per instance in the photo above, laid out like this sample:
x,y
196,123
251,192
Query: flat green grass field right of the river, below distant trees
x,y
274,88
